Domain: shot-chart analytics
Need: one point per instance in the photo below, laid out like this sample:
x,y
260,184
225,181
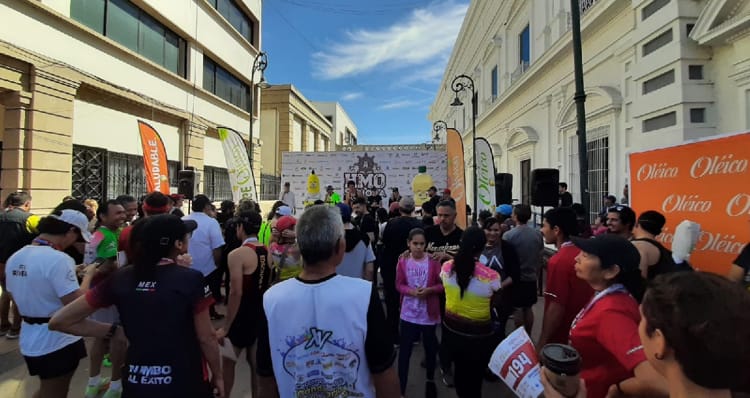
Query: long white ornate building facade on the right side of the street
x,y
656,73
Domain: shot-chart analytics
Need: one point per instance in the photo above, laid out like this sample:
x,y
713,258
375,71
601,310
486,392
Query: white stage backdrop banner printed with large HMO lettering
x,y
375,173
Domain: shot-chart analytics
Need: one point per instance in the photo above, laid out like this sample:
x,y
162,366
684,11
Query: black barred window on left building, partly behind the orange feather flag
x,y
100,175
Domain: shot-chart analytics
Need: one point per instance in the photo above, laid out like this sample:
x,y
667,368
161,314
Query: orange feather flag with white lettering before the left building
x,y
154,159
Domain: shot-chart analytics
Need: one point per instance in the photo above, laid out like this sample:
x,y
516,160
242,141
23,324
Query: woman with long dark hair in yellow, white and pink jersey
x,y
469,287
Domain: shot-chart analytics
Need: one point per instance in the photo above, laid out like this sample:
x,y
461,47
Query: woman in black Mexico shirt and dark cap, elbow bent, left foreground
x,y
164,312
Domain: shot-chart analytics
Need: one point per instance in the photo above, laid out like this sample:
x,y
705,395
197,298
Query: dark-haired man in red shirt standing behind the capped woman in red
x,y
565,293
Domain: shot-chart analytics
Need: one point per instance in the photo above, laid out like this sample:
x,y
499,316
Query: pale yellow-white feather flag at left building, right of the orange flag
x,y
238,165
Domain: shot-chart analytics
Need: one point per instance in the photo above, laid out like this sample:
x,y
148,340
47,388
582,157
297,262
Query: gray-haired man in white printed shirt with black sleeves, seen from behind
x,y
337,342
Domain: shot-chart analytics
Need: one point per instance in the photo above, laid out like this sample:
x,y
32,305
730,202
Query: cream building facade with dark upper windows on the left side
x,y
77,75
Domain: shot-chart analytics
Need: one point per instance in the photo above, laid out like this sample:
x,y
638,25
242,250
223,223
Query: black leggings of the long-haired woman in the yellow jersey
x,y
470,354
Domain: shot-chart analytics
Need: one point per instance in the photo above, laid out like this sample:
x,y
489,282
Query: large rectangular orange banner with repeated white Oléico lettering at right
x,y
707,182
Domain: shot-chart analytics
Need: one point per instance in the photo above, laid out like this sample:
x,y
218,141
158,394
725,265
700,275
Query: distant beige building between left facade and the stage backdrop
x,y
289,123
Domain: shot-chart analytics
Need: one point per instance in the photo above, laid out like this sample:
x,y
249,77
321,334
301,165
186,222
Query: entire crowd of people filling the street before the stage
x,y
301,296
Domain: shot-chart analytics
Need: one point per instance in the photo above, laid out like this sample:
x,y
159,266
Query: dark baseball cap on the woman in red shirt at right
x,y
611,249
